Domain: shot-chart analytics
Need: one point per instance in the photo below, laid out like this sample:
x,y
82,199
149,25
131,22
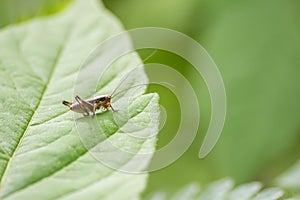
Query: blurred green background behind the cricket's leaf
x,y
256,45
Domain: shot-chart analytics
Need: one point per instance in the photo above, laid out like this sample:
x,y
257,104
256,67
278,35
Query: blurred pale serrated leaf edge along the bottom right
x,y
287,187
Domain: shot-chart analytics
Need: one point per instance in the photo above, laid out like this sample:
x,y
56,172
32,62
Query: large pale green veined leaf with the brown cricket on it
x,y
41,153
